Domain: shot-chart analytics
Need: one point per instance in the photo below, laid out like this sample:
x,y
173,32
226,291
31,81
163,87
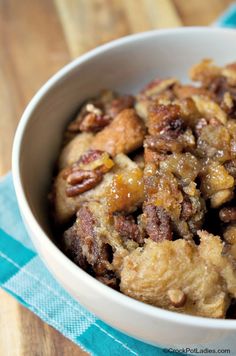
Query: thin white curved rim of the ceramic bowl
x,y
115,296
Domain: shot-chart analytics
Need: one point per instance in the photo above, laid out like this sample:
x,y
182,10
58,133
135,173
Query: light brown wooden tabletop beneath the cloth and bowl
x,y
37,37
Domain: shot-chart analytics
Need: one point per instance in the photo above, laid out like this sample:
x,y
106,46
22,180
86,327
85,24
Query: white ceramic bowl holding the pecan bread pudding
x,y
125,65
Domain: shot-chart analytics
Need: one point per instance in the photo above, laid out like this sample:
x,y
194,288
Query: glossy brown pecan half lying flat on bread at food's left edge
x,y
81,181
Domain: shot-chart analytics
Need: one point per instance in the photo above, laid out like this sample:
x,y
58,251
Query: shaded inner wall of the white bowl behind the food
x,y
124,65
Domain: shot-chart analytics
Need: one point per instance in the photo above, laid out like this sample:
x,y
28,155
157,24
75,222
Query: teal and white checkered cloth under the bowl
x,y
23,275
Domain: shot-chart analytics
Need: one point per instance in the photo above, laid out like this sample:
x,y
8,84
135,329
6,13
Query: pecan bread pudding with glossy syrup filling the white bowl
x,y
145,185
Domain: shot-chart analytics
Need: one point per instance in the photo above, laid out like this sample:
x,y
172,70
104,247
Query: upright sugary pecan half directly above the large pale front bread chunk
x,y
157,223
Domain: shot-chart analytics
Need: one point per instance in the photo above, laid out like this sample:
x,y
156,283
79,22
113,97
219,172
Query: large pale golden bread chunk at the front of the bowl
x,y
205,278
